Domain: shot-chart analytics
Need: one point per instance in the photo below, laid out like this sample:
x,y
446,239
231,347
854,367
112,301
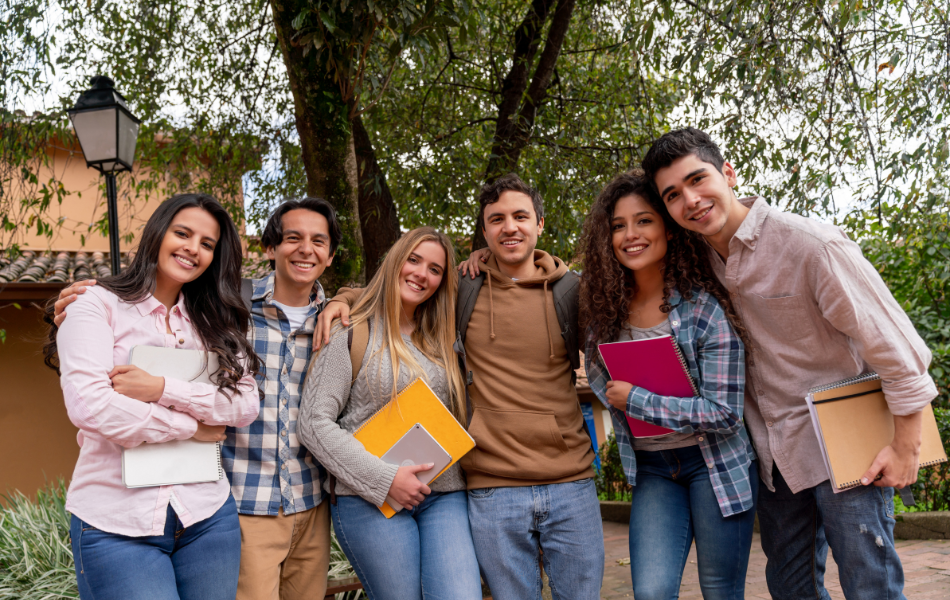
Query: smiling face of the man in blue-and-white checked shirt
x,y
304,252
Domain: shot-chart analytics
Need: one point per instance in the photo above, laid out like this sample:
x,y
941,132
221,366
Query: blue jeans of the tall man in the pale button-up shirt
x,y
858,525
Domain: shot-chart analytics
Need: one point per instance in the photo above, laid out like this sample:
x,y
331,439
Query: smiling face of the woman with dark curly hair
x,y
638,235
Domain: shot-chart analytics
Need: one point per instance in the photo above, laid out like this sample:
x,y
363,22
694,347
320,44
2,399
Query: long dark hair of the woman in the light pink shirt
x,y
213,300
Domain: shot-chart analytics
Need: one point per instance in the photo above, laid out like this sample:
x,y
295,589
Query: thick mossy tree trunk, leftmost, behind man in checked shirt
x,y
324,128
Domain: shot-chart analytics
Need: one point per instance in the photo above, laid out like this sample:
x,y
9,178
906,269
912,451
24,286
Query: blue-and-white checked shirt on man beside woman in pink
x,y
268,467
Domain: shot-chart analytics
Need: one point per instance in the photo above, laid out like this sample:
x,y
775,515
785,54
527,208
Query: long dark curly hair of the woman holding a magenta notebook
x,y
607,287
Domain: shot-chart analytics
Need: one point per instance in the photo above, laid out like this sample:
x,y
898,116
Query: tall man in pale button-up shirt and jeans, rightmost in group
x,y
817,312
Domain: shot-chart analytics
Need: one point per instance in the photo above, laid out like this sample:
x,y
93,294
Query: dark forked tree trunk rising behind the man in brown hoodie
x,y
520,99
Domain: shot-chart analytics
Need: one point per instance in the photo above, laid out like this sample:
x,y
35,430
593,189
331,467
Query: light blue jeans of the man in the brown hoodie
x,y
510,525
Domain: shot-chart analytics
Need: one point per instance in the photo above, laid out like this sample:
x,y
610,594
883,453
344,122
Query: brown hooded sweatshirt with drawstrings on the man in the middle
x,y
527,424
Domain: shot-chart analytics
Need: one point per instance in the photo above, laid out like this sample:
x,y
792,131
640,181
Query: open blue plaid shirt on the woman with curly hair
x,y
714,354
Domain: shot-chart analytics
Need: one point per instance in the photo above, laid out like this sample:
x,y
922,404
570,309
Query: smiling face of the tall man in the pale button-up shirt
x,y
699,197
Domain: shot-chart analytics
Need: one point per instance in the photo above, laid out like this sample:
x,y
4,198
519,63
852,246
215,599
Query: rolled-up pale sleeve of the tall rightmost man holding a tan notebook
x,y
855,300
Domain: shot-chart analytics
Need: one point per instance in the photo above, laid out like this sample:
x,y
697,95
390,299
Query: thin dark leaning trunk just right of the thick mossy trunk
x,y
379,221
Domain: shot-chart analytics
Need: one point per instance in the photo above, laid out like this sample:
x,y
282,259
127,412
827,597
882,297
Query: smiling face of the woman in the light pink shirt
x,y
187,248
